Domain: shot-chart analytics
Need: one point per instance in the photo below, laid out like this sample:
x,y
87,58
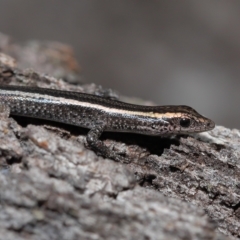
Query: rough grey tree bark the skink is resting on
x,y
53,187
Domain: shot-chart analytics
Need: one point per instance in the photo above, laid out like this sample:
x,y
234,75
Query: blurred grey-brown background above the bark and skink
x,y
169,52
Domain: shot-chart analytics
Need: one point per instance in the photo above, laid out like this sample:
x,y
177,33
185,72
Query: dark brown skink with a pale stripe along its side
x,y
101,114
